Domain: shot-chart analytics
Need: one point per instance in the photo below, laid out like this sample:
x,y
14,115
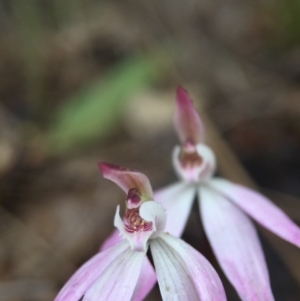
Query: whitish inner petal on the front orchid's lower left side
x,y
118,280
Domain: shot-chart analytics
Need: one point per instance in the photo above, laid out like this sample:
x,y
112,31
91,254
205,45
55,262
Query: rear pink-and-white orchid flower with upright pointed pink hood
x,y
224,208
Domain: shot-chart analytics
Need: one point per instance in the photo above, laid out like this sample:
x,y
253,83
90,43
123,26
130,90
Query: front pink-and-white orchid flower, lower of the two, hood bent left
x,y
115,273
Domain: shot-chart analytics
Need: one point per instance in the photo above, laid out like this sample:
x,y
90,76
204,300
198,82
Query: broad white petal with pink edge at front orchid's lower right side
x,y
183,273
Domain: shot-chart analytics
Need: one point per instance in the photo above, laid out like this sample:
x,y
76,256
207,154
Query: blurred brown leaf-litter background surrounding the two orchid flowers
x,y
83,81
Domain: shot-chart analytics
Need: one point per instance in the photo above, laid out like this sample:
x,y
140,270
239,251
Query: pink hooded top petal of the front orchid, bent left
x,y
127,179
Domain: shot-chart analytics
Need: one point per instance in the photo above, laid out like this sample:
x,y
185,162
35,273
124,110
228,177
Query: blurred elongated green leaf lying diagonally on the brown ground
x,y
94,112
